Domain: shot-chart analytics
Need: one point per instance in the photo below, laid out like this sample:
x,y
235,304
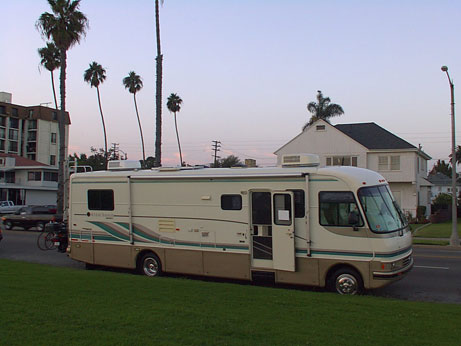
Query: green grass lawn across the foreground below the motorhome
x,y
44,305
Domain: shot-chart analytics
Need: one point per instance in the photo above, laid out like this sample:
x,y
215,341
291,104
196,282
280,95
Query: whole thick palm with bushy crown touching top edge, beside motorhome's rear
x,y
65,26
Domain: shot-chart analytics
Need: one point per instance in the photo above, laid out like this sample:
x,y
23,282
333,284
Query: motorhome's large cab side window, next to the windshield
x,y
339,209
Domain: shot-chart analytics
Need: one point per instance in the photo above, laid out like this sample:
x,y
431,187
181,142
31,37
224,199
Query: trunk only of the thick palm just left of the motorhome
x,y
62,135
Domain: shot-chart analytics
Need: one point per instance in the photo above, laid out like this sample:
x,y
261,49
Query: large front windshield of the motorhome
x,y
381,210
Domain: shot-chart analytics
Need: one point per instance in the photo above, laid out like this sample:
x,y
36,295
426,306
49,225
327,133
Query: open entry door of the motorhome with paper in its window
x,y
283,230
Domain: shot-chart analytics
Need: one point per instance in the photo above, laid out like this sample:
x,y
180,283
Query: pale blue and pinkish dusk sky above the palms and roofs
x,y
246,71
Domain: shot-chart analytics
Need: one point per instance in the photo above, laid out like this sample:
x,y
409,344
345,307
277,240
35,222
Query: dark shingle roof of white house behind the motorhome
x,y
373,136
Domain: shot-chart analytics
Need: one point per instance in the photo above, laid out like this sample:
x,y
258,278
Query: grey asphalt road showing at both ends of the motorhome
x,y
436,275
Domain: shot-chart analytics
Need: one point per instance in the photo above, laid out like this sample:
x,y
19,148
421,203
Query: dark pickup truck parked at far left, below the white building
x,y
31,216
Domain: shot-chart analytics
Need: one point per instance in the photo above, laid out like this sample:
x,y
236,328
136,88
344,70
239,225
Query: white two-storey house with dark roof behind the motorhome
x,y
369,146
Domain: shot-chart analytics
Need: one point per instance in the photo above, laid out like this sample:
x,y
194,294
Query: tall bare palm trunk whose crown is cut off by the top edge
x,y
158,93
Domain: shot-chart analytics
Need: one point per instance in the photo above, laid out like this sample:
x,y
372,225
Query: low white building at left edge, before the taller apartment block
x,y
25,181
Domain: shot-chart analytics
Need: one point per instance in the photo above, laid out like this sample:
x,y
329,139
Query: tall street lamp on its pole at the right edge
x,y
454,239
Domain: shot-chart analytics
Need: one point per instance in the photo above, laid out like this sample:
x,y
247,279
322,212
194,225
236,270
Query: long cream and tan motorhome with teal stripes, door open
x,y
338,227
